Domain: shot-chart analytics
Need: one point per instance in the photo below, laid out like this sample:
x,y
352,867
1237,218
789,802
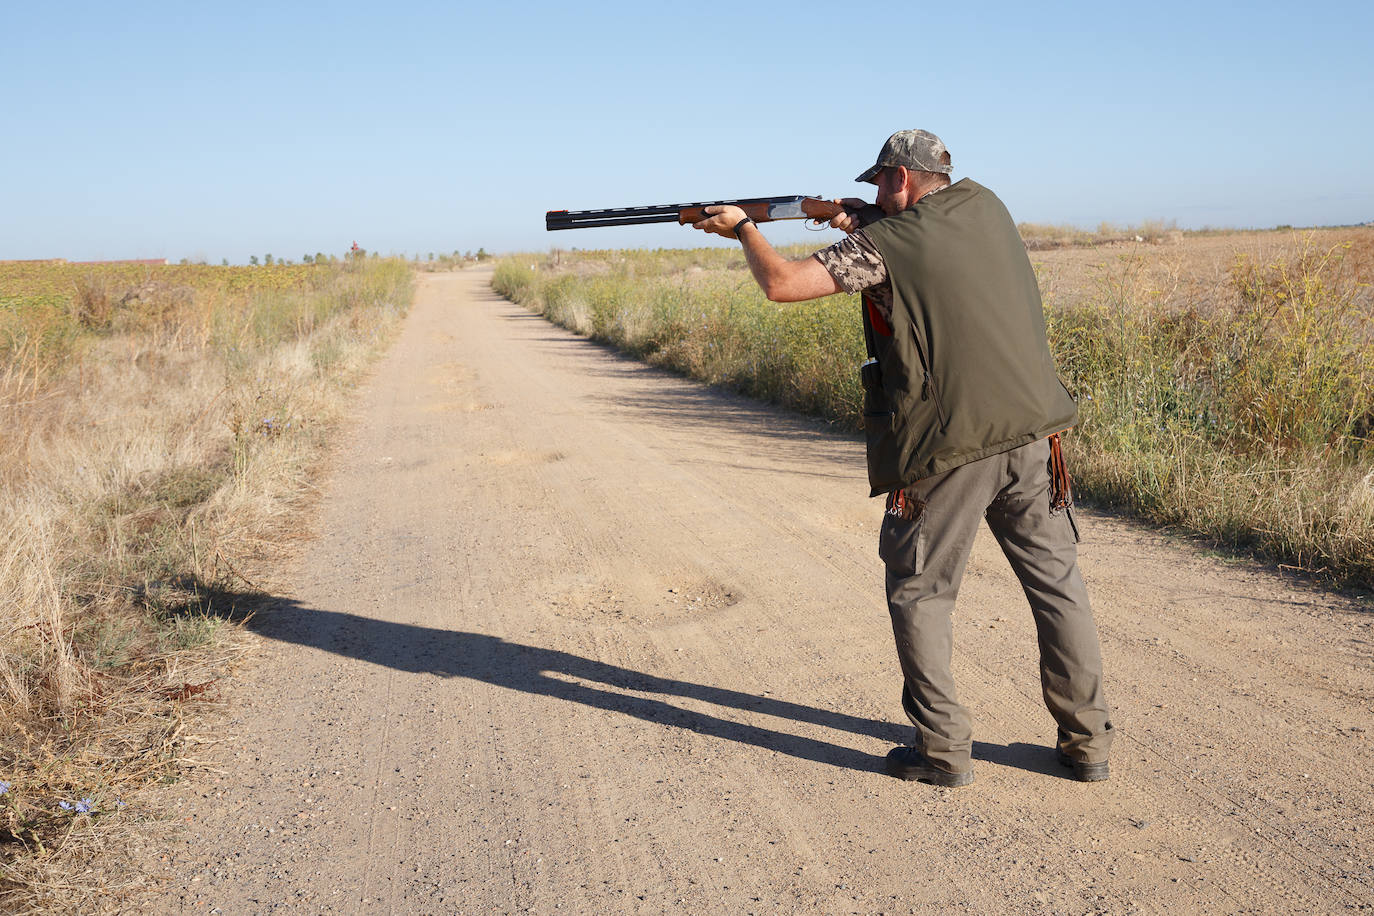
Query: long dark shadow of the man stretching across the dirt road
x,y
560,675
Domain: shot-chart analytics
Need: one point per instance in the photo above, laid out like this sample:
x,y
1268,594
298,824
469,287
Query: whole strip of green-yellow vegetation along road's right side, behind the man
x,y
1228,396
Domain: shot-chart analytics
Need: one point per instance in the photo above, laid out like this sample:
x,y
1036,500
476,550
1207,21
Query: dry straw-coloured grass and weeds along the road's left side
x,y
160,428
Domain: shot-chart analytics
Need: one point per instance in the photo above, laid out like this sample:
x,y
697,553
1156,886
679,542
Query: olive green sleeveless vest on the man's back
x,y
967,371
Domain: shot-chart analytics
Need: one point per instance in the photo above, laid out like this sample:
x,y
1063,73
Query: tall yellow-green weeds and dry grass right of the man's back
x,y
1243,415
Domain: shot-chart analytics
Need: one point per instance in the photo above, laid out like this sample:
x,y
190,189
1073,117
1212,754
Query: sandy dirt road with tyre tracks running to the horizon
x,y
579,637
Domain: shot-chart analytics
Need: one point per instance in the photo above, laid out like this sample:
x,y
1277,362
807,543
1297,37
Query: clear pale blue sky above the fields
x,y
149,130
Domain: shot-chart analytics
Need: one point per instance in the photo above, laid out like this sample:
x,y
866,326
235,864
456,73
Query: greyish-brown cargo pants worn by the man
x,y
925,558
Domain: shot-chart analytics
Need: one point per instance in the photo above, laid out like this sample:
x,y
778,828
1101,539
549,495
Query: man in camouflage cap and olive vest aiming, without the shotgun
x,y
962,413
